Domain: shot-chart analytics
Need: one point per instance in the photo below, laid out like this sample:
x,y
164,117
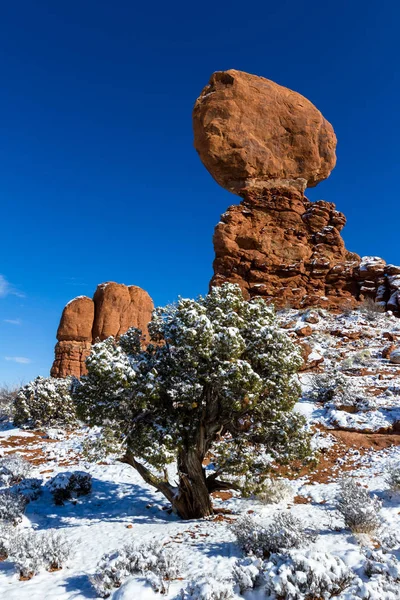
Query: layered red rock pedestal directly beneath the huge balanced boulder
x,y
279,246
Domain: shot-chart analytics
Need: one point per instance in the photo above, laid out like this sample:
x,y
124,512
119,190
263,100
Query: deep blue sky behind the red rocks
x,y
99,178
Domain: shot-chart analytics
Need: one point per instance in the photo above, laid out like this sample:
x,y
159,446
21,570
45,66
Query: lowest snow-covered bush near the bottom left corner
x,y
33,552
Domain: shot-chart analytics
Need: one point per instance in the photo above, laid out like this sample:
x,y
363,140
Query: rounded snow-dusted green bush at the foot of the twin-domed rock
x,y
45,402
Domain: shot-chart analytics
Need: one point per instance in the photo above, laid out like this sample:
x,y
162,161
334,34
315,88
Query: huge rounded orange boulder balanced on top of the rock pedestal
x,y
251,132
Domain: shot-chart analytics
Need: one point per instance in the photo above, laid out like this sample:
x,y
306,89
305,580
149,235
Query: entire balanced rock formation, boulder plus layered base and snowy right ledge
x,y
267,144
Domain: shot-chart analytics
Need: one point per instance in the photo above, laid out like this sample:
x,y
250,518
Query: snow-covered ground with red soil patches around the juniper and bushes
x,y
121,508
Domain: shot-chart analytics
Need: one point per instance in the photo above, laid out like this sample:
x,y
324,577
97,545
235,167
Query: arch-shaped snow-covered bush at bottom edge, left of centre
x,y
152,560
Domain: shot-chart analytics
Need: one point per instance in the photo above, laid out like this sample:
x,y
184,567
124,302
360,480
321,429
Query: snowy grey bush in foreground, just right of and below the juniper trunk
x,y
260,539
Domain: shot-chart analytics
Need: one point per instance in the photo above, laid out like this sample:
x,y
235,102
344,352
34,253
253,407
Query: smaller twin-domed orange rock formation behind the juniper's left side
x,y
114,309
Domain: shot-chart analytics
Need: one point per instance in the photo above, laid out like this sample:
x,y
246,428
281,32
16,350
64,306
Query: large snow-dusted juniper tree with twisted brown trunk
x,y
217,382
